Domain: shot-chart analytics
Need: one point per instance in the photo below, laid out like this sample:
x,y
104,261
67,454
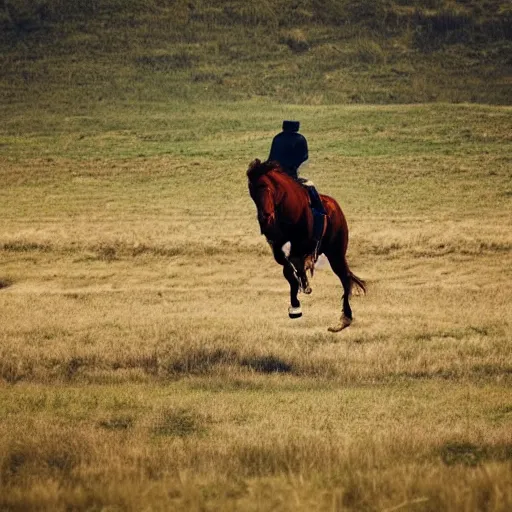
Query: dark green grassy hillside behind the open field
x,y
72,52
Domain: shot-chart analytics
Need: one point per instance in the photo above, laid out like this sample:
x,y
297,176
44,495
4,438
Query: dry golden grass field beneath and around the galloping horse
x,y
147,361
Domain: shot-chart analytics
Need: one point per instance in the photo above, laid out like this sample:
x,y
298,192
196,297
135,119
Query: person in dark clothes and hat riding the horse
x,y
290,149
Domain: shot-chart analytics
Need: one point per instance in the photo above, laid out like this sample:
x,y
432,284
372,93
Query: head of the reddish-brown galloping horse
x,y
263,193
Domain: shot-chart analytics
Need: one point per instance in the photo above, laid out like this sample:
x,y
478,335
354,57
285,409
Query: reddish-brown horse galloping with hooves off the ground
x,y
285,215
